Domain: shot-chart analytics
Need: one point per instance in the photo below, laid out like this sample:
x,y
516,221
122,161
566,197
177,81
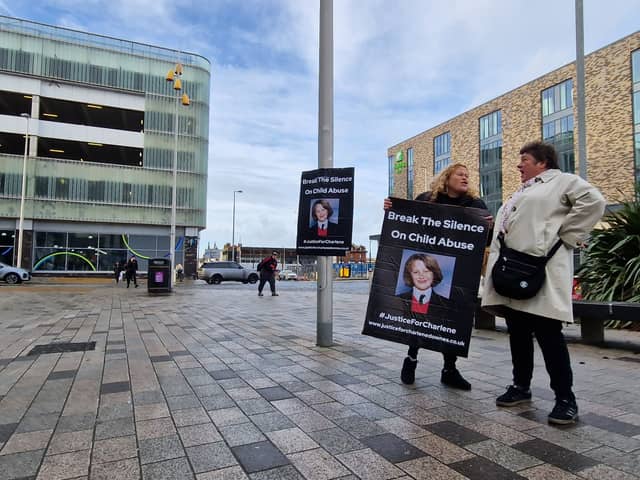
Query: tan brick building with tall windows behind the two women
x,y
488,138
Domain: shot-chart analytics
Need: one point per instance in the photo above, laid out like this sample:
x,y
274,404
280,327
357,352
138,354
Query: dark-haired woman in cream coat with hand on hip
x,y
548,205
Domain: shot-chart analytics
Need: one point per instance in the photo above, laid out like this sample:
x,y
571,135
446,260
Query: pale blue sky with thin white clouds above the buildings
x,y
401,67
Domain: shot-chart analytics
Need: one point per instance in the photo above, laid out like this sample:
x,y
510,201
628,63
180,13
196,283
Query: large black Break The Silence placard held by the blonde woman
x,y
427,274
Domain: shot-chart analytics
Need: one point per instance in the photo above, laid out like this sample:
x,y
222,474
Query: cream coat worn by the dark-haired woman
x,y
557,204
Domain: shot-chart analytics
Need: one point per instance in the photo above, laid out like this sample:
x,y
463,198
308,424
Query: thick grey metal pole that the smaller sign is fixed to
x,y
324,324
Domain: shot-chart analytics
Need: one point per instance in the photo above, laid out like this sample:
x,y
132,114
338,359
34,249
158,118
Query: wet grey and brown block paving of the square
x,y
213,382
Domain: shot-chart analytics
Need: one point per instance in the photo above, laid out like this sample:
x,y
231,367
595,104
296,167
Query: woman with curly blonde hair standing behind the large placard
x,y
450,187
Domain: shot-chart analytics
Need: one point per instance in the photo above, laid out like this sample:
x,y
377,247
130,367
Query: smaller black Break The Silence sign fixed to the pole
x,y
325,212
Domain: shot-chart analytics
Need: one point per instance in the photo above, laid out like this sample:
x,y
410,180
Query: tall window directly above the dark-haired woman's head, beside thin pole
x,y
557,122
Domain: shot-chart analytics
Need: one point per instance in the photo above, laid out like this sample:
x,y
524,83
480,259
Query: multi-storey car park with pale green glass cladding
x,y
101,121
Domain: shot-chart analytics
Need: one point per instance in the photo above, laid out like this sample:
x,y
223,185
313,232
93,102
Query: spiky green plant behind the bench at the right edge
x,y
610,270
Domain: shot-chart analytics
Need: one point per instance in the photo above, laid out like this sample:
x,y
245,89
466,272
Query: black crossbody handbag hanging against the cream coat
x,y
519,275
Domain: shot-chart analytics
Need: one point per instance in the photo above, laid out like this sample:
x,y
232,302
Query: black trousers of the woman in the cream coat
x,y
522,327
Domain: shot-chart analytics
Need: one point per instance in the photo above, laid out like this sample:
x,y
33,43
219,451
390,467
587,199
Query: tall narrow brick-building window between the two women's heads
x,y
490,130
